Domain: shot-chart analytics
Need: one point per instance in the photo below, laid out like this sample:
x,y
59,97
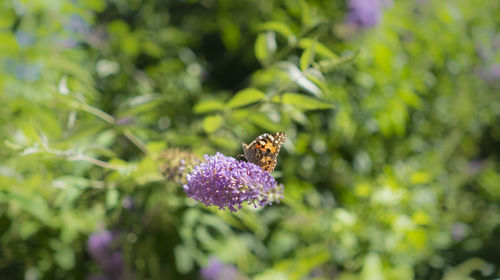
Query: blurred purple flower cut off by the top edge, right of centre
x,y
364,13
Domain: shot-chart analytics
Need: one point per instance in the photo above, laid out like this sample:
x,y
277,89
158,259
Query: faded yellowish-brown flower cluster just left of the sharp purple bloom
x,y
176,164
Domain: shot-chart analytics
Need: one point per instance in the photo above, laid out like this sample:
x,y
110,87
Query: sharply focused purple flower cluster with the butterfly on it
x,y
225,182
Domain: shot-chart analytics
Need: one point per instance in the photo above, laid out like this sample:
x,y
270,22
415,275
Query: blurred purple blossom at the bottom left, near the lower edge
x,y
102,248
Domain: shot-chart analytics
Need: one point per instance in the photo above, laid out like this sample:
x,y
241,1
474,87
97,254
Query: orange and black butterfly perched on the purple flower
x,y
264,150
